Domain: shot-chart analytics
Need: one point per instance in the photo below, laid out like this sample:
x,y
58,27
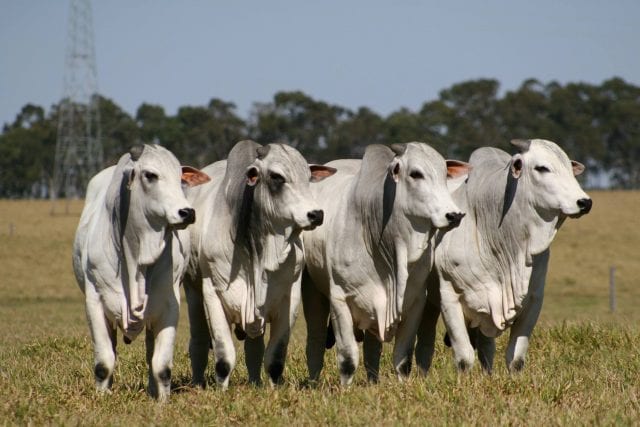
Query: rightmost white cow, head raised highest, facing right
x,y
491,270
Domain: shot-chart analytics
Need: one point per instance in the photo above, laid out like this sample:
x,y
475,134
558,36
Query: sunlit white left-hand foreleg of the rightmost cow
x,y
454,321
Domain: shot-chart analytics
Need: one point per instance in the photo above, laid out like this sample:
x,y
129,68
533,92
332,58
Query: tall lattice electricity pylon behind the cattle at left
x,y
78,148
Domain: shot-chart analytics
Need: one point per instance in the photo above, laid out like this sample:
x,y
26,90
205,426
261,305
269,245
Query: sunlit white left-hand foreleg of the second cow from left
x,y
220,329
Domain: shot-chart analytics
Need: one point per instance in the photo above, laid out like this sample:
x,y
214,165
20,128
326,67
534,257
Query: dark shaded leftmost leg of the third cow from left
x,y
316,315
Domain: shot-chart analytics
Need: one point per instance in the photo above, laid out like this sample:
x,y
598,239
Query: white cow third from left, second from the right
x,y
367,266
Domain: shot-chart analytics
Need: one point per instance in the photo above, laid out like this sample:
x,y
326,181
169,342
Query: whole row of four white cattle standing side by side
x,y
375,248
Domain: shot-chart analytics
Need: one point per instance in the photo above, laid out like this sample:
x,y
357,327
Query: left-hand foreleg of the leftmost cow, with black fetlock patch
x,y
103,336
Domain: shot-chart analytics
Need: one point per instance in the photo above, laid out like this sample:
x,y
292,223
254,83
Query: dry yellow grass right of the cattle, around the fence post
x,y
581,255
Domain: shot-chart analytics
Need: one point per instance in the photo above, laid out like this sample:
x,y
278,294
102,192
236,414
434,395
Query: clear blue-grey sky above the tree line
x,y
382,54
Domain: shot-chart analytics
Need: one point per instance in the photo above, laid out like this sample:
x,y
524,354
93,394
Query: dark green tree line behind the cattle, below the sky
x,y
598,125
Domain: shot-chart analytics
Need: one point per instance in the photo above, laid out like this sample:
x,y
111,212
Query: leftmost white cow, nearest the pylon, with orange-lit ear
x,y
128,256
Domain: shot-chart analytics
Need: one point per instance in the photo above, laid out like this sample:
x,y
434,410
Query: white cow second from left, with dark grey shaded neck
x,y
249,257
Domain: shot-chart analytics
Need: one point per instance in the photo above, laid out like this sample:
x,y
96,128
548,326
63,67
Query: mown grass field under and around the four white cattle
x,y
583,365
